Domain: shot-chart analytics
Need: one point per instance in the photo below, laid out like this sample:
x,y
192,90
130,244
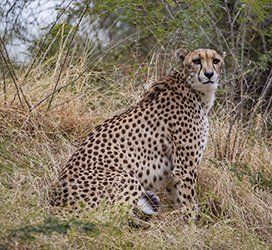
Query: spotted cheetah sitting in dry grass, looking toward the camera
x,y
153,147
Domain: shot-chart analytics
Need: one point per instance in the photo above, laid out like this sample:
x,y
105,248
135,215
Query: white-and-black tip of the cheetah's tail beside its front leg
x,y
149,203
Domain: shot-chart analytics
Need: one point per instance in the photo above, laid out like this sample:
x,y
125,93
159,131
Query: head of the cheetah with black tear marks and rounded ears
x,y
202,68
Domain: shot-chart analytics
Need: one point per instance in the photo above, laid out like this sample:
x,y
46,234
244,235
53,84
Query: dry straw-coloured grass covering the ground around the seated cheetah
x,y
234,192
